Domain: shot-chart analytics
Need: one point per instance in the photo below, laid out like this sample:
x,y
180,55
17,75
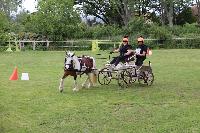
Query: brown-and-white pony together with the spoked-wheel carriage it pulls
x,y
125,73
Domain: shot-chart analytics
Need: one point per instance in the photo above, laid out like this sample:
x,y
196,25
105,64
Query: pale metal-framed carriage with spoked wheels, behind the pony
x,y
127,74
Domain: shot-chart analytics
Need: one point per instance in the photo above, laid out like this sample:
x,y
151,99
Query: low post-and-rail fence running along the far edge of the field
x,y
96,45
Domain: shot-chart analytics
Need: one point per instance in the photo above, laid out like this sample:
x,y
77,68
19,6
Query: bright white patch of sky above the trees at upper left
x,y
29,5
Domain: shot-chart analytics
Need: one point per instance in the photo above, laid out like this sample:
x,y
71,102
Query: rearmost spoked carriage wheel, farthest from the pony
x,y
146,78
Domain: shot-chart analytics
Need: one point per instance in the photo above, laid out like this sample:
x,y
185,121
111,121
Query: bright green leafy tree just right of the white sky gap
x,y
55,19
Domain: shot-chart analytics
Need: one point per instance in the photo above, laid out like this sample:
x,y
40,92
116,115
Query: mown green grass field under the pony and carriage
x,y
171,104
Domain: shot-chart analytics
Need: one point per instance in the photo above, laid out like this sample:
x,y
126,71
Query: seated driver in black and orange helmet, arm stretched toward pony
x,y
125,51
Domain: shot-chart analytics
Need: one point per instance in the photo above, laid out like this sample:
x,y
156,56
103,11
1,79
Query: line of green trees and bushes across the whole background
x,y
99,19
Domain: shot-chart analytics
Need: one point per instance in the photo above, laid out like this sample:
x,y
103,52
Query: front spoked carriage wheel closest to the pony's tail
x,y
104,77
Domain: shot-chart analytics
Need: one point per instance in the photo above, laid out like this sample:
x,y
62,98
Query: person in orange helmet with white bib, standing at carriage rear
x,y
141,52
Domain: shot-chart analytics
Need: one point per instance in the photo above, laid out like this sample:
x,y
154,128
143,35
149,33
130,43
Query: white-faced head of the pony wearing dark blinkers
x,y
69,60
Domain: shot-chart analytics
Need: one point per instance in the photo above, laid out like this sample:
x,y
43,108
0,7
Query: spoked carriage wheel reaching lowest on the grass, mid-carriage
x,y
124,79
